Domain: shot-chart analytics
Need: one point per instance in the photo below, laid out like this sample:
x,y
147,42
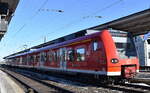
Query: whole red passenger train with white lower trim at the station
x,y
108,54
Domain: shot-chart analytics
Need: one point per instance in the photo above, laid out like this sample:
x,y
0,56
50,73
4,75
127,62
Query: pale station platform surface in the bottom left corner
x,y
7,85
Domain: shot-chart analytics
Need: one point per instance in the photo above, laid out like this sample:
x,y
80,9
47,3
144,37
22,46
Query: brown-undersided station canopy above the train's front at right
x,y
137,24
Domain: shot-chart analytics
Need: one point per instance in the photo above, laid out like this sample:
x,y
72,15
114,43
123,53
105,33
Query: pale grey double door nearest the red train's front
x,y
63,58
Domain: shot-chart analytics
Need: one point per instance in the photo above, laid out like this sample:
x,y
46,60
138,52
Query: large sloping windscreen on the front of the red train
x,y
124,45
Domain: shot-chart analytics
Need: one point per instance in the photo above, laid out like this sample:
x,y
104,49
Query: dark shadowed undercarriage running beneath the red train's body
x,y
81,77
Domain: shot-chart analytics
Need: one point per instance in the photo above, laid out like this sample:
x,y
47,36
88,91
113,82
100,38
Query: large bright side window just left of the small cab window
x,y
81,54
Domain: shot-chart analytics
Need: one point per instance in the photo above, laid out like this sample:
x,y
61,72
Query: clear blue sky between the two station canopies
x,y
29,26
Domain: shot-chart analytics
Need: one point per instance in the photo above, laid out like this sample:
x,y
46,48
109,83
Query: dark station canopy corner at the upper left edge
x,y
7,8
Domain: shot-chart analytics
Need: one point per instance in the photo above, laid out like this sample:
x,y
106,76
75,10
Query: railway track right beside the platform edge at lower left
x,y
34,85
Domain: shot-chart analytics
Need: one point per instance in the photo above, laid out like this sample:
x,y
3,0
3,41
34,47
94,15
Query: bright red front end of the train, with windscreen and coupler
x,y
121,54
